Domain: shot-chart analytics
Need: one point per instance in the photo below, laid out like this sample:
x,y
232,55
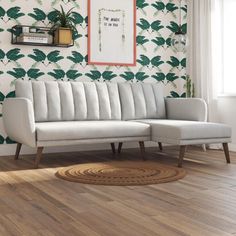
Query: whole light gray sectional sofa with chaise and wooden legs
x,y
72,113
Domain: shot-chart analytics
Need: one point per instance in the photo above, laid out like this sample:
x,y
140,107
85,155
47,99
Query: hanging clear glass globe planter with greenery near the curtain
x,y
179,40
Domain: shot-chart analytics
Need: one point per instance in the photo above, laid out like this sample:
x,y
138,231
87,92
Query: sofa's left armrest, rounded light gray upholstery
x,y
18,120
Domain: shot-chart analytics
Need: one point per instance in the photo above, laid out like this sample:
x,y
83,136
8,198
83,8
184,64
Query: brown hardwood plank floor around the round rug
x,y
35,202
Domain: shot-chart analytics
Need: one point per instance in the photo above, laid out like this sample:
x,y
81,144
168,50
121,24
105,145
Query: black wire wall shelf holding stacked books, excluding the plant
x,y
25,35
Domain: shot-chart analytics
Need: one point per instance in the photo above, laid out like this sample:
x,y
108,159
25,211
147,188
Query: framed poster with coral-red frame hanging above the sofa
x,y
112,32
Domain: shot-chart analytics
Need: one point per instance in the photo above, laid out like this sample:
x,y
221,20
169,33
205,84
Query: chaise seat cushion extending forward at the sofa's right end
x,y
175,130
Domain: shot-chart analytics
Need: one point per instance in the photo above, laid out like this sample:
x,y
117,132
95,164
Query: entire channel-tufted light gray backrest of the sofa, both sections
x,y
68,101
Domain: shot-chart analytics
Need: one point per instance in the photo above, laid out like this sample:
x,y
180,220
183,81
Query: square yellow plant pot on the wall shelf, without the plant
x,y
63,36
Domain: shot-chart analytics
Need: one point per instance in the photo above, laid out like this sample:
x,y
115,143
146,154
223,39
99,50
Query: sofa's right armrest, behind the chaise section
x,y
194,109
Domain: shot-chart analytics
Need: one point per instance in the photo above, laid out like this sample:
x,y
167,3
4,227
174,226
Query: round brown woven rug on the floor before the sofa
x,y
121,173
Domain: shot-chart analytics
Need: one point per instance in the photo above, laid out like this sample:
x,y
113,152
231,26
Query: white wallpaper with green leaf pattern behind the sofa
x,y
156,60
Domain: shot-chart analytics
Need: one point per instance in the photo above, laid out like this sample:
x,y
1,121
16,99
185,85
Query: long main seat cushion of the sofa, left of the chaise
x,y
77,130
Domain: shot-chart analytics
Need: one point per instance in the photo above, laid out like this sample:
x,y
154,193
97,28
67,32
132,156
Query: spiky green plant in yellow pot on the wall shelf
x,y
64,27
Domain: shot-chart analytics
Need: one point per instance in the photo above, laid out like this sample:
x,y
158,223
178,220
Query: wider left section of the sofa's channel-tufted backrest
x,y
68,101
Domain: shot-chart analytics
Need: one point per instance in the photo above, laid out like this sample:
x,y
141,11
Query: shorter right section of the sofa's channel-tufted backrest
x,y
142,101
